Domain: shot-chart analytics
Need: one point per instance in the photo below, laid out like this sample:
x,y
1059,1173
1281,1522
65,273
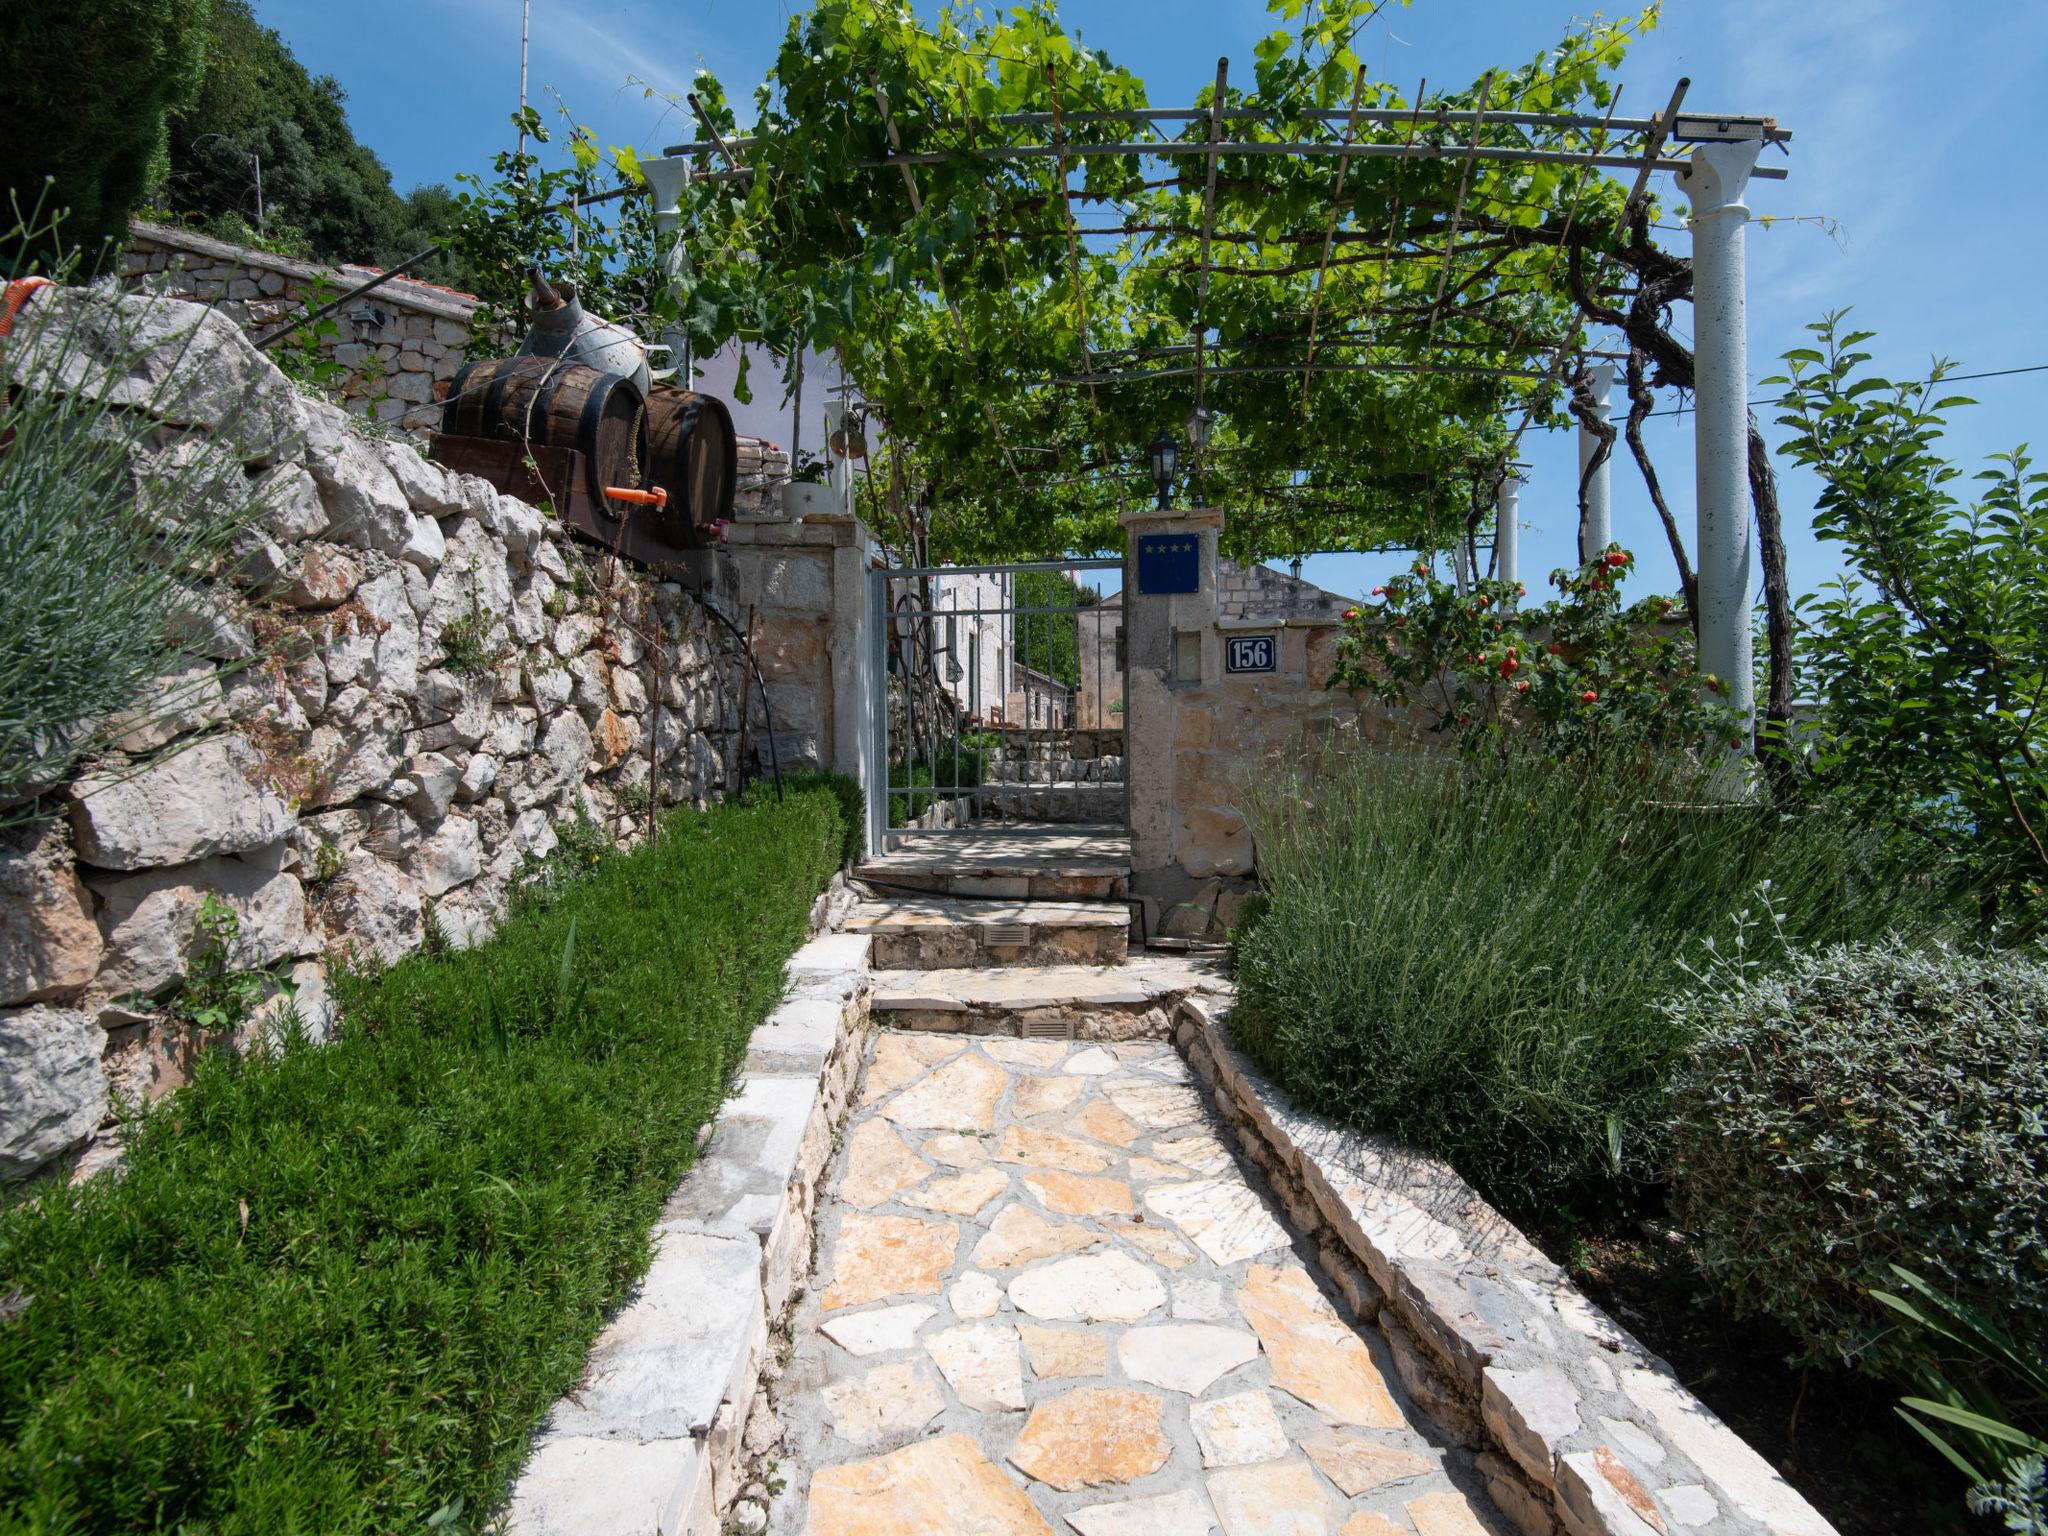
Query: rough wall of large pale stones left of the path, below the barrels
x,y
404,691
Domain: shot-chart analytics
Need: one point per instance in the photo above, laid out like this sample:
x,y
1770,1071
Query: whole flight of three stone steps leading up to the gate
x,y
1017,931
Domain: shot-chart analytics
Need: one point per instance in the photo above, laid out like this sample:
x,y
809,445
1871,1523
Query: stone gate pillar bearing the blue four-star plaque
x,y
1170,642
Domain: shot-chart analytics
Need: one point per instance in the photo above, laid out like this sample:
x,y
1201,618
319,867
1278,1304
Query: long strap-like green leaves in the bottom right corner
x,y
1971,1424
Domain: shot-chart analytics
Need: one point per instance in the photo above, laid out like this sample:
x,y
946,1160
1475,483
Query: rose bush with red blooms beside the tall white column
x,y
1576,679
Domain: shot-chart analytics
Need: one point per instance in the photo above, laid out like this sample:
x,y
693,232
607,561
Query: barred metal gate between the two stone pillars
x,y
998,699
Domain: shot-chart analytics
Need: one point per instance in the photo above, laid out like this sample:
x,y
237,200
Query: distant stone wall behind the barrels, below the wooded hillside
x,y
398,343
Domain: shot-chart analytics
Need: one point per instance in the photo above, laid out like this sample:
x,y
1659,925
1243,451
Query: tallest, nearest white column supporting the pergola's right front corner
x,y
1715,183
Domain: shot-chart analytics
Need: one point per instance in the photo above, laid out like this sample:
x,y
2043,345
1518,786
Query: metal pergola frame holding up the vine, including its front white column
x,y
1715,175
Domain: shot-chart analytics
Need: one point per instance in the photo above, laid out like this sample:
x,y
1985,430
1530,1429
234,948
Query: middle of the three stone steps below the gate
x,y
947,933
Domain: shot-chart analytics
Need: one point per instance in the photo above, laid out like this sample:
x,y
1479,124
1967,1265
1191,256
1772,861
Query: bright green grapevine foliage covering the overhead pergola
x,y
951,316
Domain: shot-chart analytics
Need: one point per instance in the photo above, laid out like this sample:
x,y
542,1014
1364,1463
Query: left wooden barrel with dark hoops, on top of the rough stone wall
x,y
562,407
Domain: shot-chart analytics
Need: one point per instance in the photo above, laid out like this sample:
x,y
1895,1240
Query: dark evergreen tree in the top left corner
x,y
89,87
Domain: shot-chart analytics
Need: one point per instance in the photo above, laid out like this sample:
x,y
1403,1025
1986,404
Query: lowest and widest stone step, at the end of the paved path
x,y
1089,1002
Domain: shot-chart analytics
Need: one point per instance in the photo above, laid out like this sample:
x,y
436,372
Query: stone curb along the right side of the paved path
x,y
1578,1426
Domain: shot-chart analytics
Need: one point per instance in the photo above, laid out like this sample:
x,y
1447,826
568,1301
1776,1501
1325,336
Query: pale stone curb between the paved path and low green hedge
x,y
650,1443
